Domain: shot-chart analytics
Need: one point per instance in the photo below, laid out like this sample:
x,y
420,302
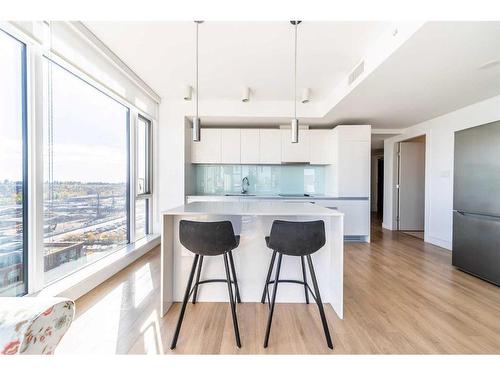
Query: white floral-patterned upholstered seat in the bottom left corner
x,y
33,325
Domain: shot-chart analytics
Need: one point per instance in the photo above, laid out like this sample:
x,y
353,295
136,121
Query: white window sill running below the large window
x,y
83,281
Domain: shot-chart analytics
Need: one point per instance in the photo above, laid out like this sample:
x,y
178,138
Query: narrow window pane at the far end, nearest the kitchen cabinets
x,y
143,186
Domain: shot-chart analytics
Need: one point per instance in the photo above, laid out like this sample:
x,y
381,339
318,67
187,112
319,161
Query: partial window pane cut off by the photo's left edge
x,y
13,204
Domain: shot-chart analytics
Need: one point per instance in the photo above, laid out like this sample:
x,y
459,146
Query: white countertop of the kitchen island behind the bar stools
x,y
254,208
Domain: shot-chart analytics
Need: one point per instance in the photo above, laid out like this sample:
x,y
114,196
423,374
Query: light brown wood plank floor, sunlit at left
x,y
401,296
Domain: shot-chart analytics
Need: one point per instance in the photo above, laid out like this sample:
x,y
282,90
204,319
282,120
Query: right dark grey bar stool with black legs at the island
x,y
299,239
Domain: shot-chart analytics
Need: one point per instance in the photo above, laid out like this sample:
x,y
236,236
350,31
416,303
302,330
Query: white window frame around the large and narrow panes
x,y
37,46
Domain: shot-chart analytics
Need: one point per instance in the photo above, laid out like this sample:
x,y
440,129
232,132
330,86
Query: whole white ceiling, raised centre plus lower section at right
x,y
434,72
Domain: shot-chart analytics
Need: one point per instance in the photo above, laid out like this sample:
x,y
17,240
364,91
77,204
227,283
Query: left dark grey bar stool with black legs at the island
x,y
209,239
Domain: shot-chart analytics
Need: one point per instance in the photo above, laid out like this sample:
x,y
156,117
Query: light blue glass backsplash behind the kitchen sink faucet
x,y
264,179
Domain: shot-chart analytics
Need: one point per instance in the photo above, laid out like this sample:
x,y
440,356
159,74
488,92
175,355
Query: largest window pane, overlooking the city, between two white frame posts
x,y
86,173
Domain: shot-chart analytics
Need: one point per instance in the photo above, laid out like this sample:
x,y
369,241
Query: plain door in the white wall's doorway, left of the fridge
x,y
411,186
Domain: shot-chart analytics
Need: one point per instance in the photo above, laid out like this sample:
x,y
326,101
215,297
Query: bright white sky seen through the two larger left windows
x,y
89,138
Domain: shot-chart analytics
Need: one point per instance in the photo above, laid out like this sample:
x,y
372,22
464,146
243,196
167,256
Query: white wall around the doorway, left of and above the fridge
x,y
439,166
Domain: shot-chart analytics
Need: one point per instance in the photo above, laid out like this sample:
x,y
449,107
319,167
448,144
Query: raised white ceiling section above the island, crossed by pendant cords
x,y
237,54
